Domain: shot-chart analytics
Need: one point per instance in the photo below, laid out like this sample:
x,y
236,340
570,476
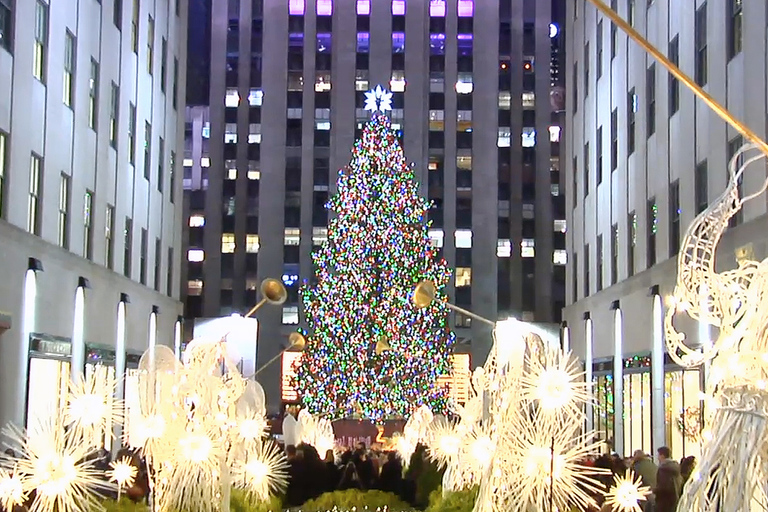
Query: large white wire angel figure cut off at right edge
x,y
731,471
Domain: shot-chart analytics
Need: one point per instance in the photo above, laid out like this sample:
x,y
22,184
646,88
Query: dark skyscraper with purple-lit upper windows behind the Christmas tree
x,y
478,100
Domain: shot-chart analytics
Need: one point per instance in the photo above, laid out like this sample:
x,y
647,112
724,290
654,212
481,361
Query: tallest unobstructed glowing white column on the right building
x,y
658,422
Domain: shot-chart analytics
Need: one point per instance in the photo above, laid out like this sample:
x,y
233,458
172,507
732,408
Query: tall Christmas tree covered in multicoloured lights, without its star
x,y
370,353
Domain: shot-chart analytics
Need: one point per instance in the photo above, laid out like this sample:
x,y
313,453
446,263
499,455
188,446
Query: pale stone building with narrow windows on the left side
x,y
91,134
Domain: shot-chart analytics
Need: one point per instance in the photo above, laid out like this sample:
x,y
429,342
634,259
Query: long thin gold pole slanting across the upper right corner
x,y
685,79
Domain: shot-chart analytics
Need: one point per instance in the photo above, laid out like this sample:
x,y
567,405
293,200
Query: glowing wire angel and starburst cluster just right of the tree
x,y
526,450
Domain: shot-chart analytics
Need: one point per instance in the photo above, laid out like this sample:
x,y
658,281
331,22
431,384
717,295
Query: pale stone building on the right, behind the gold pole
x,y
643,158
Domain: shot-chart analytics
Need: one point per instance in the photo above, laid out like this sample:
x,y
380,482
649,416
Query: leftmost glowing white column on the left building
x,y
28,322
